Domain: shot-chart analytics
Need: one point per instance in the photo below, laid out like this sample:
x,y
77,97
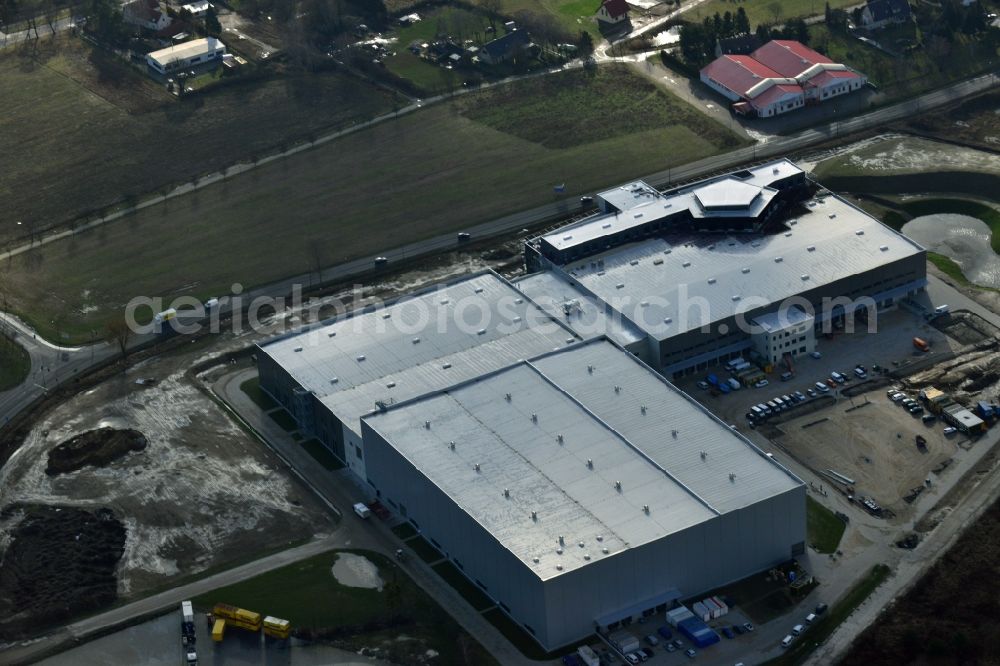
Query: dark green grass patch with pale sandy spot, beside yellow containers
x,y
309,596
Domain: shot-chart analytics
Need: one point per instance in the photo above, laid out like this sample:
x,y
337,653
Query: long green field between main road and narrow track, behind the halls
x,y
427,173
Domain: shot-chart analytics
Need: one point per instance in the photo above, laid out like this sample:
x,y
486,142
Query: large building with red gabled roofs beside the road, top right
x,y
780,76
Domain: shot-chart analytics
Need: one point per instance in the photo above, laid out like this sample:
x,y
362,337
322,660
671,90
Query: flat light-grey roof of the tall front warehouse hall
x,y
578,422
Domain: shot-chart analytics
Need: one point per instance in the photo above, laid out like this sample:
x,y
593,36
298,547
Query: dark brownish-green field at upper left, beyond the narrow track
x,y
87,130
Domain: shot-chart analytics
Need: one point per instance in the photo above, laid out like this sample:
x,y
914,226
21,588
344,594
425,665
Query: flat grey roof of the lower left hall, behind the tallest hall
x,y
436,338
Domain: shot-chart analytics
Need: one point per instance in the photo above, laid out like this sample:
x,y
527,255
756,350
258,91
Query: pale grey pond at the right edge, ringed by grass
x,y
963,239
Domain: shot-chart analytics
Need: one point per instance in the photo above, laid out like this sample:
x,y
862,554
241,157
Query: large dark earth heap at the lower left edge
x,y
61,562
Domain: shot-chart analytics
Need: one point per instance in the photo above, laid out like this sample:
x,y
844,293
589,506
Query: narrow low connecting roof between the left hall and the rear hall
x,y
578,310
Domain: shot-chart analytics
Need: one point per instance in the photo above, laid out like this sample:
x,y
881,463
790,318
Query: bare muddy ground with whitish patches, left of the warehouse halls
x,y
201,494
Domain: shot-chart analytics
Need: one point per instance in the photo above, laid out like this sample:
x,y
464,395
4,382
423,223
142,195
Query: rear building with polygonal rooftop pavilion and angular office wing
x,y
706,272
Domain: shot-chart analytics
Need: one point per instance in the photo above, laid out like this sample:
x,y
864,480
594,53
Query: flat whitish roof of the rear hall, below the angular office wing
x,y
661,285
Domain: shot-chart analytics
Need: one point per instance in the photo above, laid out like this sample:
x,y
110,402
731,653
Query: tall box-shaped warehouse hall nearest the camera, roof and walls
x,y
579,489
